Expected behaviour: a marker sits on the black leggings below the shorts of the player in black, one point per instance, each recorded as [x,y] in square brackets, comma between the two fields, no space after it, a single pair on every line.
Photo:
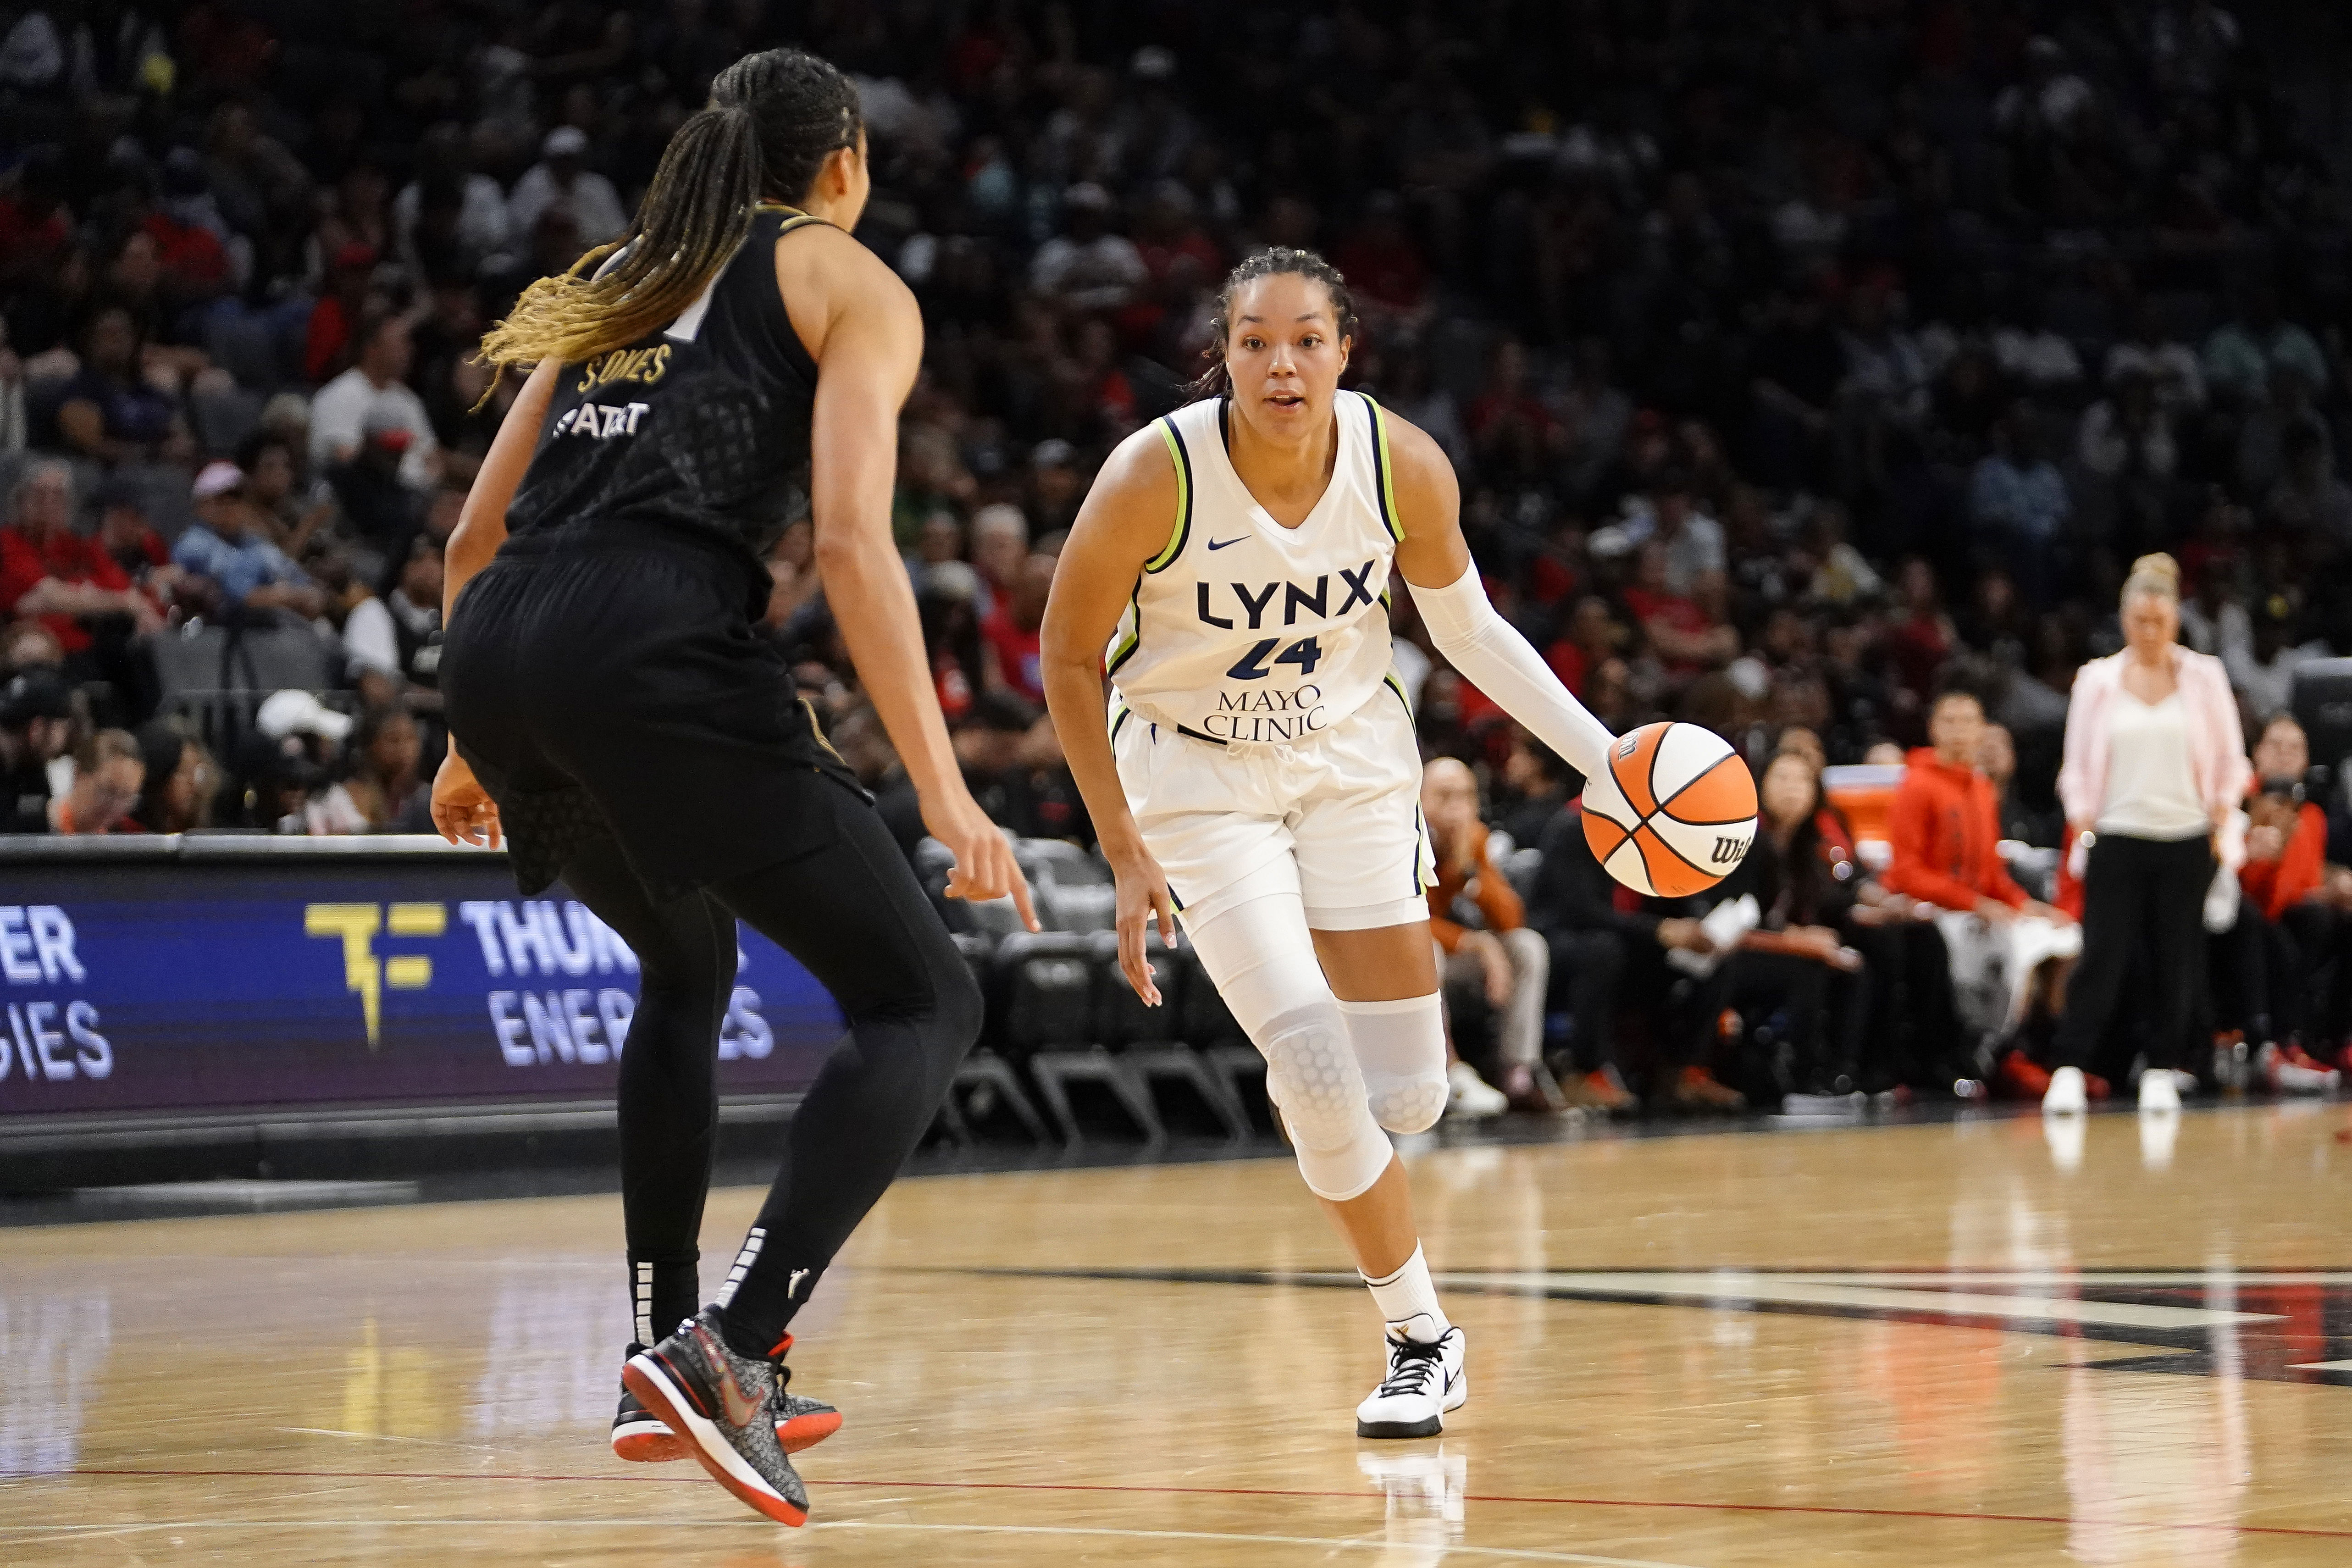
[855,916]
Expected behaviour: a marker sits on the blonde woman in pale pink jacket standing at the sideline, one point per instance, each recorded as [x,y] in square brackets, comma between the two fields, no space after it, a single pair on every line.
[2156,763]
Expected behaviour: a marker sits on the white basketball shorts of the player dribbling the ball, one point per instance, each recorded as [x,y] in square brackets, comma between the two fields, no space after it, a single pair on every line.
[1335,819]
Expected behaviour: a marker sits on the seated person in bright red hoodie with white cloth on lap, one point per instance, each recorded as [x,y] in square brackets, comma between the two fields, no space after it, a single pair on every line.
[2010,951]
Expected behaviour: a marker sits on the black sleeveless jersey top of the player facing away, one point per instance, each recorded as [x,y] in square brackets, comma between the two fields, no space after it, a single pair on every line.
[702,427]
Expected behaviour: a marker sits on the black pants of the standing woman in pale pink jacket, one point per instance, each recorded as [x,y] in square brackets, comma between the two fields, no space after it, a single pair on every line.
[2141,899]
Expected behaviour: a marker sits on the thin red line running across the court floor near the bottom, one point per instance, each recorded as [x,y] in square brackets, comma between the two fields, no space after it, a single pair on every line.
[1215,1492]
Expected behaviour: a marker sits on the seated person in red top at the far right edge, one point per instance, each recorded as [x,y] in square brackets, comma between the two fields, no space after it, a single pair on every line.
[2290,920]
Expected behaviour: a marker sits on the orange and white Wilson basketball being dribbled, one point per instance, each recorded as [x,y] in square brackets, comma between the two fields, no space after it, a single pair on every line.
[1673,815]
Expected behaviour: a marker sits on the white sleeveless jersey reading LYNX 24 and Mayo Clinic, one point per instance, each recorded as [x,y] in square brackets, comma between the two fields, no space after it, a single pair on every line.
[1245,631]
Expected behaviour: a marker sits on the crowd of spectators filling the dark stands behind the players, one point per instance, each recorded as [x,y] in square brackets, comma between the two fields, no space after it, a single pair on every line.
[1800,361]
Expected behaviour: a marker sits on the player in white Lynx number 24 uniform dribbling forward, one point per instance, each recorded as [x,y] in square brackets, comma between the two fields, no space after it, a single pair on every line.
[1255,768]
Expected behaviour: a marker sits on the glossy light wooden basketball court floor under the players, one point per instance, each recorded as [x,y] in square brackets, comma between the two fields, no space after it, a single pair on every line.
[1873,1346]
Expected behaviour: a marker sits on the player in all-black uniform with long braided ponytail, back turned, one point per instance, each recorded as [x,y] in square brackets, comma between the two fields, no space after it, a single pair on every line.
[624,728]
